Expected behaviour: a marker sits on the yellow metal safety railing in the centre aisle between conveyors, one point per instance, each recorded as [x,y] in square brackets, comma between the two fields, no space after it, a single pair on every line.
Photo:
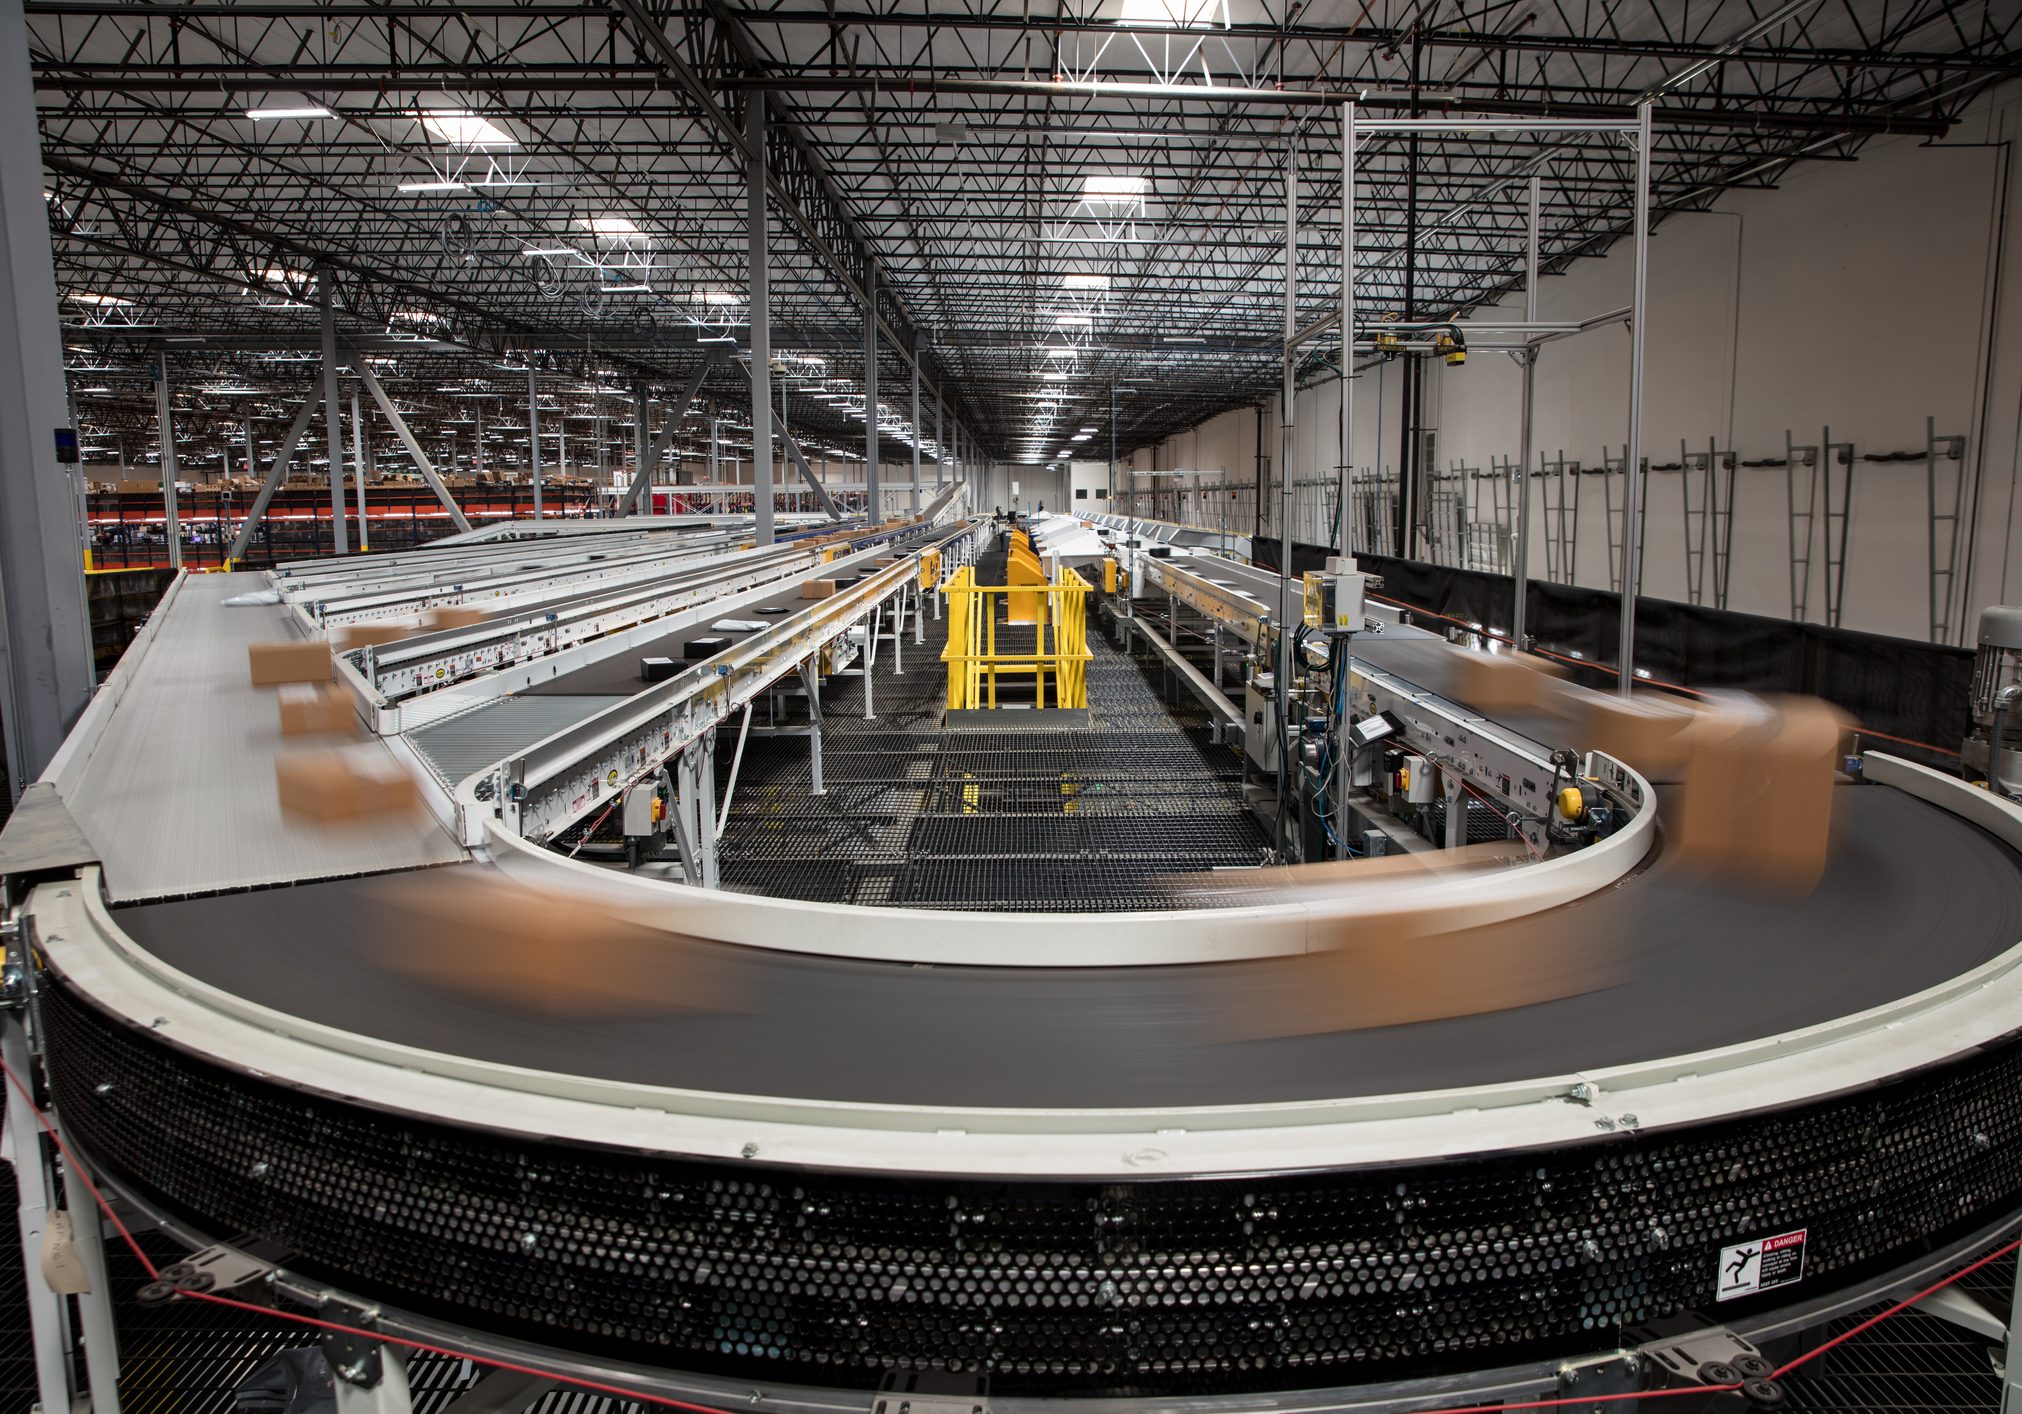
[1059,640]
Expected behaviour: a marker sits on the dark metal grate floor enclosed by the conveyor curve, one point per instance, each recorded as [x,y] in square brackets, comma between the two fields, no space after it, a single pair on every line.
[1097,820]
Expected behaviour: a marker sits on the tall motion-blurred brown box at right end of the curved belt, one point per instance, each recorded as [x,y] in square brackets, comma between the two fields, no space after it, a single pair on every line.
[1758,794]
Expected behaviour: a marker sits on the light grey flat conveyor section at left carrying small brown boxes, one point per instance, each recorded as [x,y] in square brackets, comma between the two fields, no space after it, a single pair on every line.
[179,796]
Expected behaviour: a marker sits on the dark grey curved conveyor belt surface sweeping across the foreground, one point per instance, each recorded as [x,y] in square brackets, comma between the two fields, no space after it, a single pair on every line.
[1914,899]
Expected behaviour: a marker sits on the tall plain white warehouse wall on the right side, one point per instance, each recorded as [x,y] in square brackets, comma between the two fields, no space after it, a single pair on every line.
[1859,296]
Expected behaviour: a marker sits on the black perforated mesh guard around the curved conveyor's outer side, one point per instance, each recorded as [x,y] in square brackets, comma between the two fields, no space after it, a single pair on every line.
[1156,1288]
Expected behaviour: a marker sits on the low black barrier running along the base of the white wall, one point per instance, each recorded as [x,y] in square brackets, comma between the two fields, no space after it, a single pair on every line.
[1918,693]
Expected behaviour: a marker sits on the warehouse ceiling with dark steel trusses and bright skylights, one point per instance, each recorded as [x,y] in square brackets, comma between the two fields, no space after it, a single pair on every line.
[1048,207]
